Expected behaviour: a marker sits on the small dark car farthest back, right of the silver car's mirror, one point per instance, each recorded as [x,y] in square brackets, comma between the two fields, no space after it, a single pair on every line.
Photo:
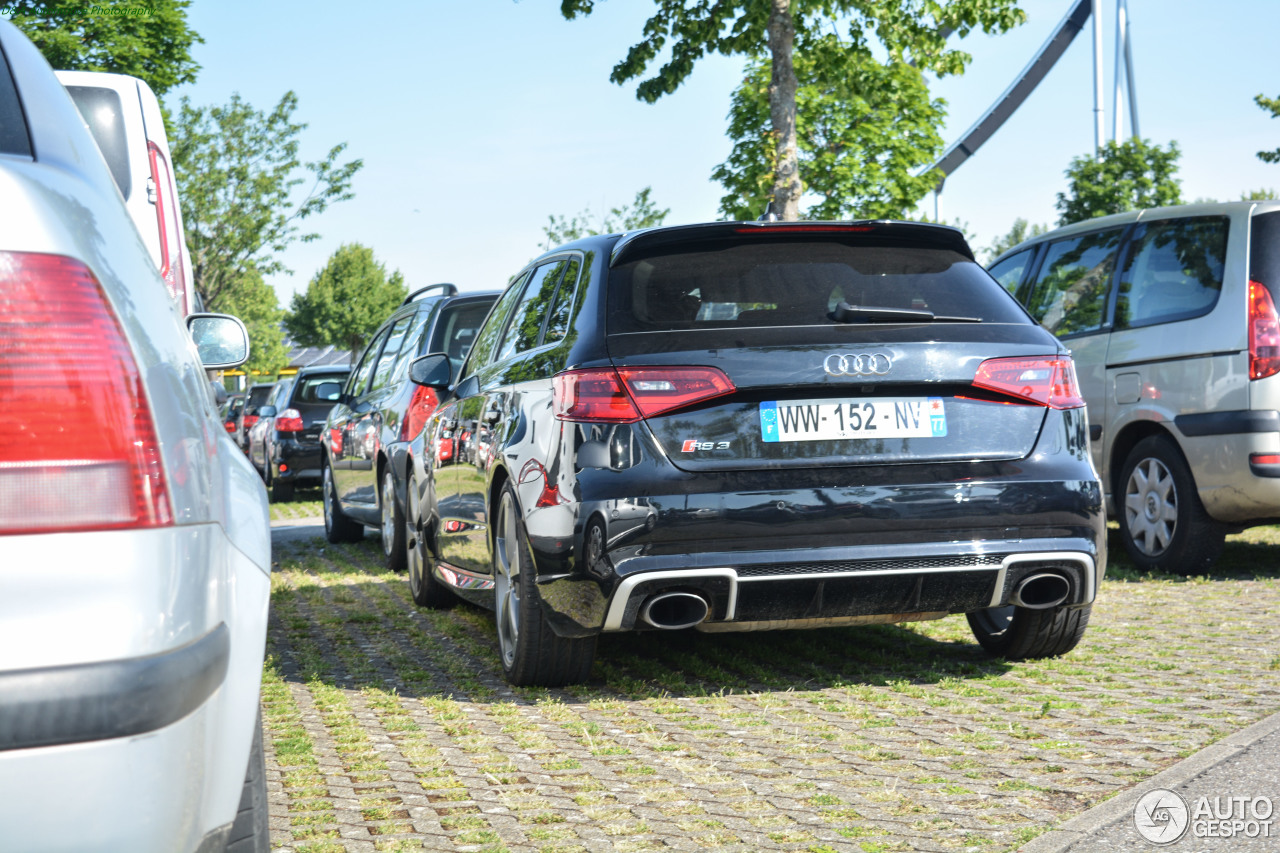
[290,426]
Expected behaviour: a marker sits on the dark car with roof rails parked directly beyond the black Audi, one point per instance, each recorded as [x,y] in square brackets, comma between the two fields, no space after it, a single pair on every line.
[381,412]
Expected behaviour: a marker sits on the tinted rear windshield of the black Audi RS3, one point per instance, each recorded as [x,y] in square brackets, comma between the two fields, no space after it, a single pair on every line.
[797,284]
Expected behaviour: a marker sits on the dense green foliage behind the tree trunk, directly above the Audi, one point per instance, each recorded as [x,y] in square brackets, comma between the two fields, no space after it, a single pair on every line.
[865,130]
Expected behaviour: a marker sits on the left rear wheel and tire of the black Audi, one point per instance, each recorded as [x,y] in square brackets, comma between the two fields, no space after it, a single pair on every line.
[532,653]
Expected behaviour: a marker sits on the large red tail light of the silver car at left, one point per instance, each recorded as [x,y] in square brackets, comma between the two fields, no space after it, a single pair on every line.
[80,449]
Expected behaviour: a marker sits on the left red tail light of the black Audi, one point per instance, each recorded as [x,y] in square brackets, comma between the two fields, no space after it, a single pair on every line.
[627,395]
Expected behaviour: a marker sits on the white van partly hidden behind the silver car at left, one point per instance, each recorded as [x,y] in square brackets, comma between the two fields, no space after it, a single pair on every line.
[124,116]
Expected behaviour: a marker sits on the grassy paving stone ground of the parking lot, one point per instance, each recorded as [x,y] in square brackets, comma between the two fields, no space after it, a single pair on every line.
[390,728]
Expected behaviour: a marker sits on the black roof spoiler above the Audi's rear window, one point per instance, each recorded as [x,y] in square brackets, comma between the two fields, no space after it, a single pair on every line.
[877,232]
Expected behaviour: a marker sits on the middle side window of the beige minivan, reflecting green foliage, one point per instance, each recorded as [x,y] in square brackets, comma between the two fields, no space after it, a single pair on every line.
[1071,291]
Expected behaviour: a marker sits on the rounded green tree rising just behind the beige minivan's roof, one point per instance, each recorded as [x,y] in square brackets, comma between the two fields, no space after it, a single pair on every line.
[1128,176]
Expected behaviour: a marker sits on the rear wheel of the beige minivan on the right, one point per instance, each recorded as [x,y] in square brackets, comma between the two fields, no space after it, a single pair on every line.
[1163,523]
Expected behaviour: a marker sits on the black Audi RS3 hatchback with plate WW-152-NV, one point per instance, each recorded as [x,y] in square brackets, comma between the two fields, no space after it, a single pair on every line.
[740,427]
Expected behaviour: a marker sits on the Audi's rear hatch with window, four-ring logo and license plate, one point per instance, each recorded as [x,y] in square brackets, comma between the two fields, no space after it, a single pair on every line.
[764,305]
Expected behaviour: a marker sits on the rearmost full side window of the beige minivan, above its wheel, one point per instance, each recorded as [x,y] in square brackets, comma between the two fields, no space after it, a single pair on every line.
[1173,271]
